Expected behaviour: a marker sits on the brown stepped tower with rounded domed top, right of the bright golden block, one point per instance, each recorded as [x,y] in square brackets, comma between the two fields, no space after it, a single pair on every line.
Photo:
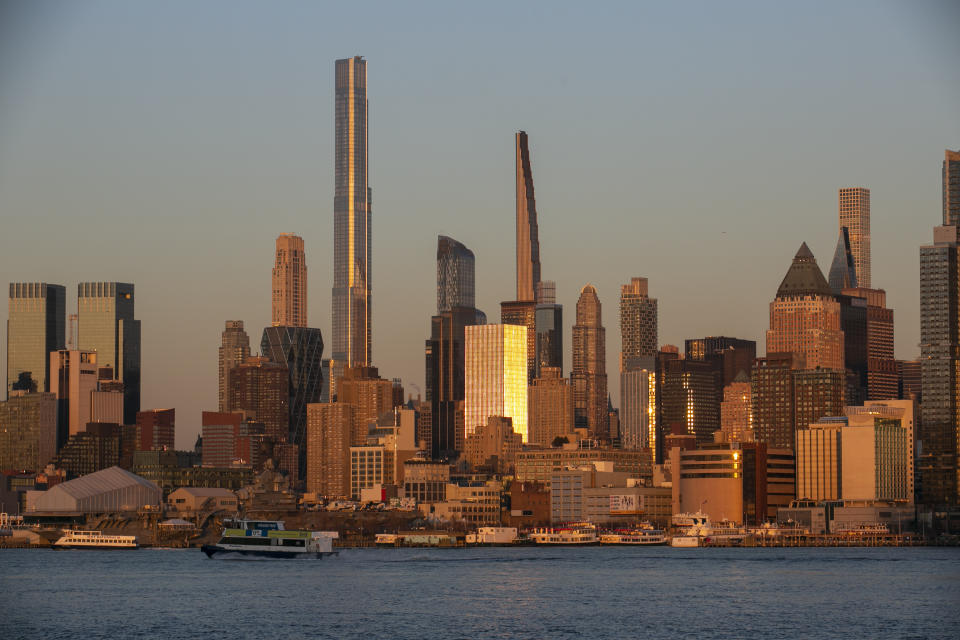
[589,373]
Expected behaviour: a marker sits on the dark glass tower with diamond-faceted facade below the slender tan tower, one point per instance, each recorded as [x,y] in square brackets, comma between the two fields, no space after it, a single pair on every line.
[300,350]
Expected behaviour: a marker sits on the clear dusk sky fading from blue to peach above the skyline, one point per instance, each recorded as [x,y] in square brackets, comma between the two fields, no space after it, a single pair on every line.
[696,144]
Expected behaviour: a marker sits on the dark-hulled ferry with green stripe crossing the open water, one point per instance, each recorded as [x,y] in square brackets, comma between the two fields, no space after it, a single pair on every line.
[269,538]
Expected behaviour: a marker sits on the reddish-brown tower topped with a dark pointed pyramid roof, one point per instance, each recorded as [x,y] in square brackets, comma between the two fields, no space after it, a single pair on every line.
[805,316]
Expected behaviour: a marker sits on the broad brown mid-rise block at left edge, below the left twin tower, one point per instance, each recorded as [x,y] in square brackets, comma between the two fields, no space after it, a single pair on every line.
[28,431]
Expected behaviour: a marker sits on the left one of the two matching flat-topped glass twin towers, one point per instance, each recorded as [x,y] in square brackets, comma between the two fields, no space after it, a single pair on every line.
[35,327]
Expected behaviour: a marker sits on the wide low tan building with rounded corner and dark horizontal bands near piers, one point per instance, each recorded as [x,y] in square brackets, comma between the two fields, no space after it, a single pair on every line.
[744,482]
